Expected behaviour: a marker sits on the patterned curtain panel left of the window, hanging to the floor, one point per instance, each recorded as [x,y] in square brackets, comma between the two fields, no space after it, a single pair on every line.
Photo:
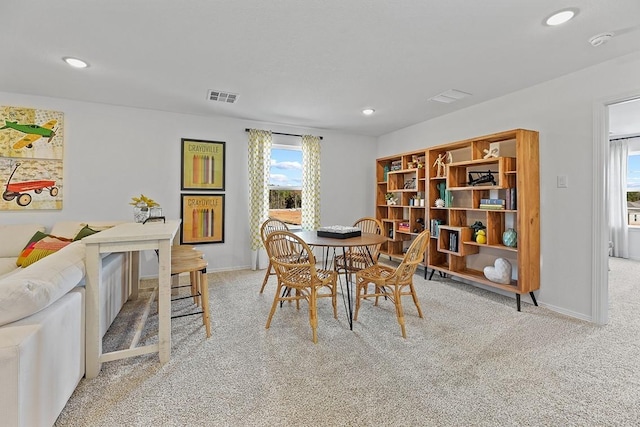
[259,165]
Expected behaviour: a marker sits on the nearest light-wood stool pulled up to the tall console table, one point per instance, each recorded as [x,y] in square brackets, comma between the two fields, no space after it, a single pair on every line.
[192,262]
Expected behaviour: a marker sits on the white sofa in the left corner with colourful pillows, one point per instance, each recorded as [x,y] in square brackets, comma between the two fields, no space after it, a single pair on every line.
[42,323]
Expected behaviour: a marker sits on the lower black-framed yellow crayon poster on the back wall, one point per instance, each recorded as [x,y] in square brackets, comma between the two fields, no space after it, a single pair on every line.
[202,218]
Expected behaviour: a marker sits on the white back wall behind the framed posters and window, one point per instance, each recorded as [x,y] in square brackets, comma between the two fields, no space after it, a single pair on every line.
[114,153]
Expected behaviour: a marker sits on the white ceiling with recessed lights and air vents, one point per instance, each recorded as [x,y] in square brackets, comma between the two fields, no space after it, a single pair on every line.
[312,63]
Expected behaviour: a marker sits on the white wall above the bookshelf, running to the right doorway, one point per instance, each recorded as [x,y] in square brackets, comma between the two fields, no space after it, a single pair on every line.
[562,111]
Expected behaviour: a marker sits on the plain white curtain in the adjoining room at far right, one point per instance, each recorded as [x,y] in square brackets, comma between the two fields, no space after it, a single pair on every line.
[617,198]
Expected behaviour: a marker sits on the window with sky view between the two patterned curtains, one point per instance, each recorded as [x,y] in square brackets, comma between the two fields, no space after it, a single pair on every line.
[285,184]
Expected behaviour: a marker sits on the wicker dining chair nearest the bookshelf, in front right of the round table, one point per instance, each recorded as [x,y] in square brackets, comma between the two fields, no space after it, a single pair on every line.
[393,283]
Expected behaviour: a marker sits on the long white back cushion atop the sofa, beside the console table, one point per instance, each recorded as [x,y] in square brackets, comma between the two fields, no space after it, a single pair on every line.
[38,286]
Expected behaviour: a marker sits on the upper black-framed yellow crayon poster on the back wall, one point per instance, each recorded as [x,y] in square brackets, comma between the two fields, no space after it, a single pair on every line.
[203,165]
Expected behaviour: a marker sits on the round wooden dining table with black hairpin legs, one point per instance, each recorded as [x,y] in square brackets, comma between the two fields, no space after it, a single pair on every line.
[312,239]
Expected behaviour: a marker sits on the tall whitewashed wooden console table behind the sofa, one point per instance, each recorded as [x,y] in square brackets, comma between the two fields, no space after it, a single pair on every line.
[131,238]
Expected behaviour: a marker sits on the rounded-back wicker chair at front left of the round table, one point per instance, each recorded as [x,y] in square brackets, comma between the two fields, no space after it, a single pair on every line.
[295,267]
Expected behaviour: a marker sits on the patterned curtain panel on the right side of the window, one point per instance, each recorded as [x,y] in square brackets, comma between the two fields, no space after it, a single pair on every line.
[310,182]
